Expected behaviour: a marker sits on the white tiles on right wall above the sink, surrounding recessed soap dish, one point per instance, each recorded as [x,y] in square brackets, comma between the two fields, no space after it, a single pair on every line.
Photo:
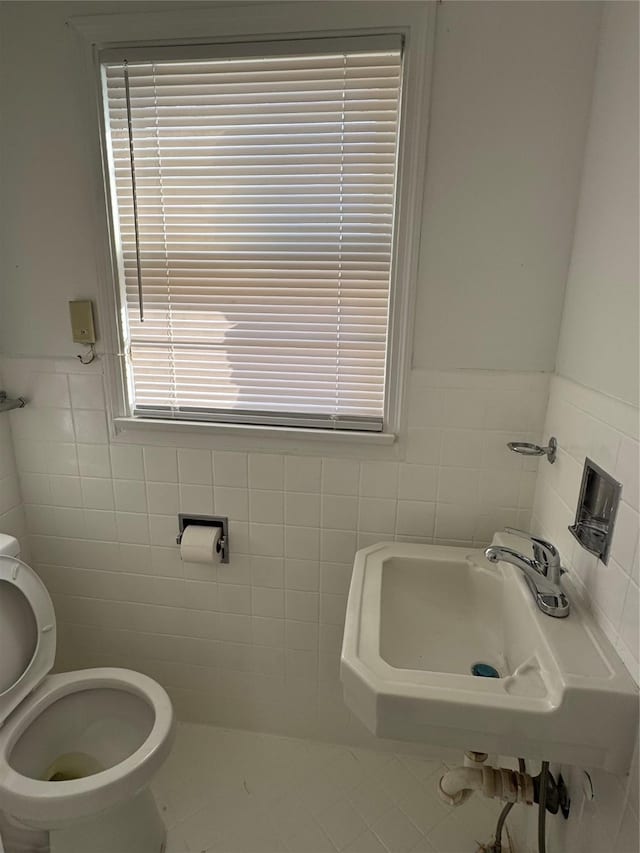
[587,423]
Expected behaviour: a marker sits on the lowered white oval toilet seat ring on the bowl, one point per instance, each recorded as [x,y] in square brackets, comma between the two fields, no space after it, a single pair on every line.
[48,804]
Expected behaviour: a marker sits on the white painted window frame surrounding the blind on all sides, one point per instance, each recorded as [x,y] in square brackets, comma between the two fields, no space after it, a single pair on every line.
[255,22]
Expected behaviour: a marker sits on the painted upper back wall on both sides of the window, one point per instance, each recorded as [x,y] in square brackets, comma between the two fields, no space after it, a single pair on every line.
[510,102]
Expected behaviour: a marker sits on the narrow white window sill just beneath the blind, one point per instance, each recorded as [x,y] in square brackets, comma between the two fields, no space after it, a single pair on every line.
[252,431]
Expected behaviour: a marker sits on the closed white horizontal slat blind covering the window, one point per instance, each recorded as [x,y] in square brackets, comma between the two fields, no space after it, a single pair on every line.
[264,210]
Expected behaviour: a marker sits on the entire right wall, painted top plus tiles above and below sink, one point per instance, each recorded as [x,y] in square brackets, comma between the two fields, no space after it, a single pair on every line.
[586,417]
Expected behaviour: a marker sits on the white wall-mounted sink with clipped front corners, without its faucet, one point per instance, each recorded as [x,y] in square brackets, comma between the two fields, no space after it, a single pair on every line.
[420,616]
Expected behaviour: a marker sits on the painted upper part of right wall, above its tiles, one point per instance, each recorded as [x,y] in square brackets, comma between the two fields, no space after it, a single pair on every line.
[599,341]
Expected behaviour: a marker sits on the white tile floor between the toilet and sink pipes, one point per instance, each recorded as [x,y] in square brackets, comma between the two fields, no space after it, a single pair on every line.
[228,791]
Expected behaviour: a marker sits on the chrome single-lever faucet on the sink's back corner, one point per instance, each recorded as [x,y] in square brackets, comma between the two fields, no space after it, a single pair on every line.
[542,572]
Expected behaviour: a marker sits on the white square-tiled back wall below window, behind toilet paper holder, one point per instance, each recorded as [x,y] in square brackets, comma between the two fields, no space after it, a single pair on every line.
[255,643]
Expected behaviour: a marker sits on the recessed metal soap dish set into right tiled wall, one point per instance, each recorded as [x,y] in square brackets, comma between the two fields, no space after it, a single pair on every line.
[596,511]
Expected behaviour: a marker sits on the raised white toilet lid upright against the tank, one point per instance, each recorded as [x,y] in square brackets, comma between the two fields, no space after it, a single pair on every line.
[27,633]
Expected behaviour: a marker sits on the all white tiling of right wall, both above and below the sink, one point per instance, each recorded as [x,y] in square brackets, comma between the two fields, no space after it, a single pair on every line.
[587,423]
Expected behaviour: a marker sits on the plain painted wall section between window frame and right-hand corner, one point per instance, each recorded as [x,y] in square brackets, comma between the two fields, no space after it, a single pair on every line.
[512,88]
